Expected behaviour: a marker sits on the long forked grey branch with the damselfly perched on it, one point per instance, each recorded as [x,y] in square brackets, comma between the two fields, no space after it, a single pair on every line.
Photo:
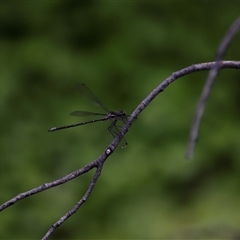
[98,163]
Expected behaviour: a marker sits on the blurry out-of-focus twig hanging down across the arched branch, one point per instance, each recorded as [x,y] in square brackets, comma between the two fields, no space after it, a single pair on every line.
[208,86]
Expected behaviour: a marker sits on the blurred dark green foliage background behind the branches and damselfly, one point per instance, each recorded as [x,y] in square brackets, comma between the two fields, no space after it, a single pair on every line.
[122,51]
